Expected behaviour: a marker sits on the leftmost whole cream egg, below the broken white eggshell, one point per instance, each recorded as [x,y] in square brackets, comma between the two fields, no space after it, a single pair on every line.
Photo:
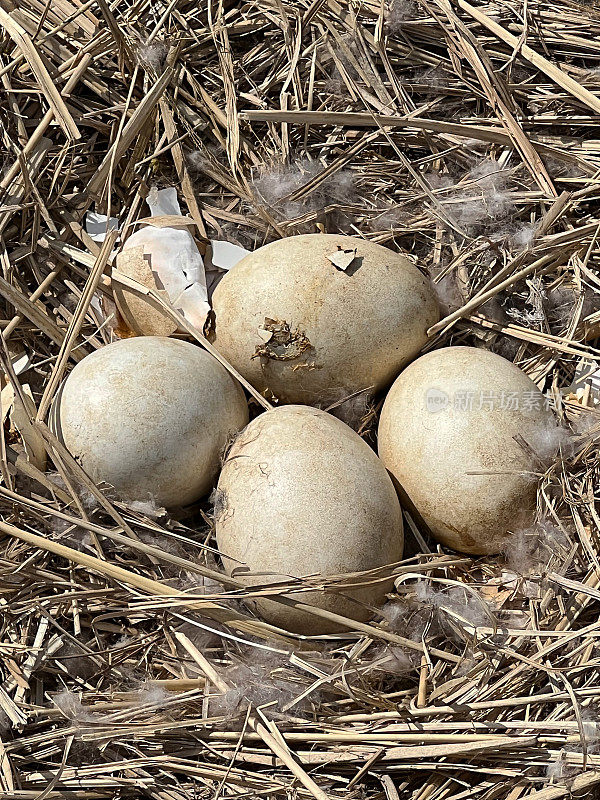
[150,416]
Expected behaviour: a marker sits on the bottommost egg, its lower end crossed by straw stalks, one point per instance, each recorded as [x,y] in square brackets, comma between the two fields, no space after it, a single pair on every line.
[301,494]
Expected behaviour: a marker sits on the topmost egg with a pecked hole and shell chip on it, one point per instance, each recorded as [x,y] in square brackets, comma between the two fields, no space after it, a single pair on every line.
[359,321]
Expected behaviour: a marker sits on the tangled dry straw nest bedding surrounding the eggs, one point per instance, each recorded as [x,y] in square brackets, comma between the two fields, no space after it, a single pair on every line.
[464,135]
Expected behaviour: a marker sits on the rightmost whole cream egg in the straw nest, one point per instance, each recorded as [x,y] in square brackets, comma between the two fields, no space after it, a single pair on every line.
[460,430]
